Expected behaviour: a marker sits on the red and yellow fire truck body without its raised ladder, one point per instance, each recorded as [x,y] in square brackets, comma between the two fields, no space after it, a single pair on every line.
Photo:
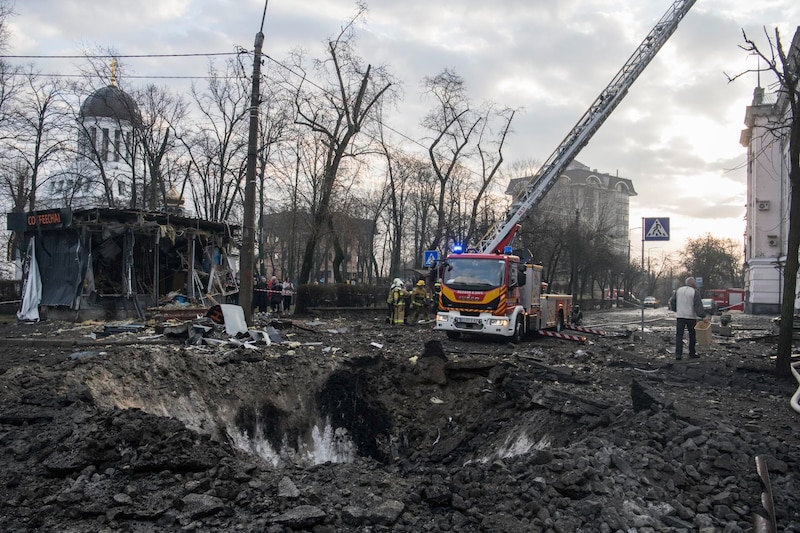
[496,294]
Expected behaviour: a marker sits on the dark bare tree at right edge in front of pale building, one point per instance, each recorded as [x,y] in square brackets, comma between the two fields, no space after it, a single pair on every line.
[786,68]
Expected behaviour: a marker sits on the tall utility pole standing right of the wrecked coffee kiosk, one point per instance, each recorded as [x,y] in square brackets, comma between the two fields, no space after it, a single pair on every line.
[247,256]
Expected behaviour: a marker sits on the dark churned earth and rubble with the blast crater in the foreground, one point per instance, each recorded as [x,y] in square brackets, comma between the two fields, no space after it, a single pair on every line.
[348,424]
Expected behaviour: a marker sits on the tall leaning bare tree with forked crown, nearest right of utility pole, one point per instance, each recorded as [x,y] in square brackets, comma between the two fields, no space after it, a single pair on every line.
[336,118]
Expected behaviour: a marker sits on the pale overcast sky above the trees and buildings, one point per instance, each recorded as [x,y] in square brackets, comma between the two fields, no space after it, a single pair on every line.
[676,135]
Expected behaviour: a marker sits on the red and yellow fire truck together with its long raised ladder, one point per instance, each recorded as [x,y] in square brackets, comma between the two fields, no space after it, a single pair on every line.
[491,291]
